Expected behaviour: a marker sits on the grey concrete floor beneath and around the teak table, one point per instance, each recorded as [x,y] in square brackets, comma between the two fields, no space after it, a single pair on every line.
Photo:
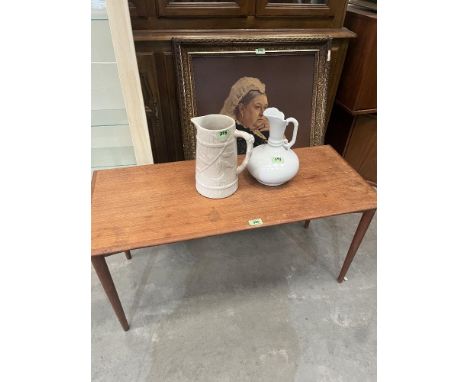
[259,305]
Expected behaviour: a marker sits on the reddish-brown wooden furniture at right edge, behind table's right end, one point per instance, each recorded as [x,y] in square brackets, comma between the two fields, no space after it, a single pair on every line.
[352,129]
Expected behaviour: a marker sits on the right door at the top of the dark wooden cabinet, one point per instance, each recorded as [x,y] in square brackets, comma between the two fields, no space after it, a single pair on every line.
[319,8]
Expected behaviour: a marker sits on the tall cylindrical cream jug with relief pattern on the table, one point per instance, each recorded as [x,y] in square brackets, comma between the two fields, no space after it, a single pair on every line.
[216,155]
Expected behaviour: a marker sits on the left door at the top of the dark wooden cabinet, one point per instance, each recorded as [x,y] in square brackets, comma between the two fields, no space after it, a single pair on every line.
[207,8]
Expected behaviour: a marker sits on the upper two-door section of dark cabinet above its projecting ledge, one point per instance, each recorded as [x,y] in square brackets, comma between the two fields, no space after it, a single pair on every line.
[236,14]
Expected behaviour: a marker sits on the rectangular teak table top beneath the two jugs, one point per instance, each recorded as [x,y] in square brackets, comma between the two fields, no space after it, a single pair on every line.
[149,205]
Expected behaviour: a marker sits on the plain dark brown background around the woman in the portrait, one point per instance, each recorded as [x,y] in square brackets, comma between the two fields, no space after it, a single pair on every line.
[289,83]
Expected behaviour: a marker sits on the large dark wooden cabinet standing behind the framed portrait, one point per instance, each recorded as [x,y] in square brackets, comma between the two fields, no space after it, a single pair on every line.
[156,23]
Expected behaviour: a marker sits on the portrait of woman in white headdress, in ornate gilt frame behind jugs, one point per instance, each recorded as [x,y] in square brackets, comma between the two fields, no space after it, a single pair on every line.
[291,72]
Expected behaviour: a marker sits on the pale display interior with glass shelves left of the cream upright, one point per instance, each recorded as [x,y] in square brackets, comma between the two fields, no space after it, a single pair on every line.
[111,143]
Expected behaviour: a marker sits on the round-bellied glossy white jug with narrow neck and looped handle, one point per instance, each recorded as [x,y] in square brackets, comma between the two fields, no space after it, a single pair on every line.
[274,163]
